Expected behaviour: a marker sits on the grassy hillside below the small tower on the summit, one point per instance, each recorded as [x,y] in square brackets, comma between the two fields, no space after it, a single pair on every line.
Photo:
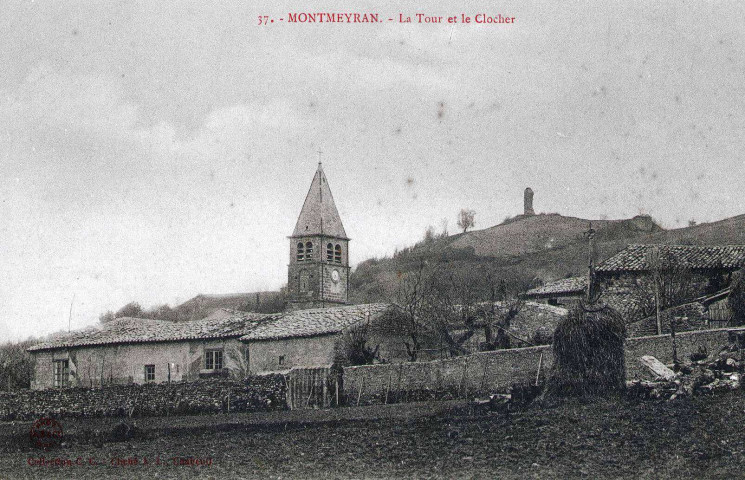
[527,250]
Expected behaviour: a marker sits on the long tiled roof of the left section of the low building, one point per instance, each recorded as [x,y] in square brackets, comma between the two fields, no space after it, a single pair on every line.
[222,324]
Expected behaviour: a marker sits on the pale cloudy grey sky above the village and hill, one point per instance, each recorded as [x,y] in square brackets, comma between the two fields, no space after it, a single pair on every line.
[154,150]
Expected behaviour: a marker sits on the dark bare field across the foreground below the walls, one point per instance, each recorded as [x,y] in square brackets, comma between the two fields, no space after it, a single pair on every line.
[603,438]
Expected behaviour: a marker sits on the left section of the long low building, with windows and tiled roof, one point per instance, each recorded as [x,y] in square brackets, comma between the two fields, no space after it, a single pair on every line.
[136,350]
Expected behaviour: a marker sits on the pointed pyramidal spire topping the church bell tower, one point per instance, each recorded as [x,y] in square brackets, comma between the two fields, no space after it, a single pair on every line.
[319,215]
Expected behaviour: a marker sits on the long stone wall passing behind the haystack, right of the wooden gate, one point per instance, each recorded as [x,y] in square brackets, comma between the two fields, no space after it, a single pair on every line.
[486,372]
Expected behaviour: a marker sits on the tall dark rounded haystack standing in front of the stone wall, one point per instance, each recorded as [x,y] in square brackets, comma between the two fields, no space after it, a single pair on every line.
[588,348]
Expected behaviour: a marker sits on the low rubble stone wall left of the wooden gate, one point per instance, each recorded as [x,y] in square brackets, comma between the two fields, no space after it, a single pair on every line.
[200,396]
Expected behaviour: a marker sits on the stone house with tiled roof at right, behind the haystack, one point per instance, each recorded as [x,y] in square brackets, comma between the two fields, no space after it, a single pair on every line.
[689,272]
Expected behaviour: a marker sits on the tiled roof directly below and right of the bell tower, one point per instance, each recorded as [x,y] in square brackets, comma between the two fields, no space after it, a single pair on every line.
[317,321]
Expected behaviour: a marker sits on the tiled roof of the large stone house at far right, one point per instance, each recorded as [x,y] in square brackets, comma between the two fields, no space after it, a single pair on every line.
[633,258]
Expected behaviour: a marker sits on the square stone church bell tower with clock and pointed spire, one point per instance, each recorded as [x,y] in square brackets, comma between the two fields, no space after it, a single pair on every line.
[318,273]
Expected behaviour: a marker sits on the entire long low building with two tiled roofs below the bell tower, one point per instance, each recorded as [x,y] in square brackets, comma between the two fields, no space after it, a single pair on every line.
[228,343]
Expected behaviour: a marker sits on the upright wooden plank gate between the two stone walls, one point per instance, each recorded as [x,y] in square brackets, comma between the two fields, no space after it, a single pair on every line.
[312,387]
